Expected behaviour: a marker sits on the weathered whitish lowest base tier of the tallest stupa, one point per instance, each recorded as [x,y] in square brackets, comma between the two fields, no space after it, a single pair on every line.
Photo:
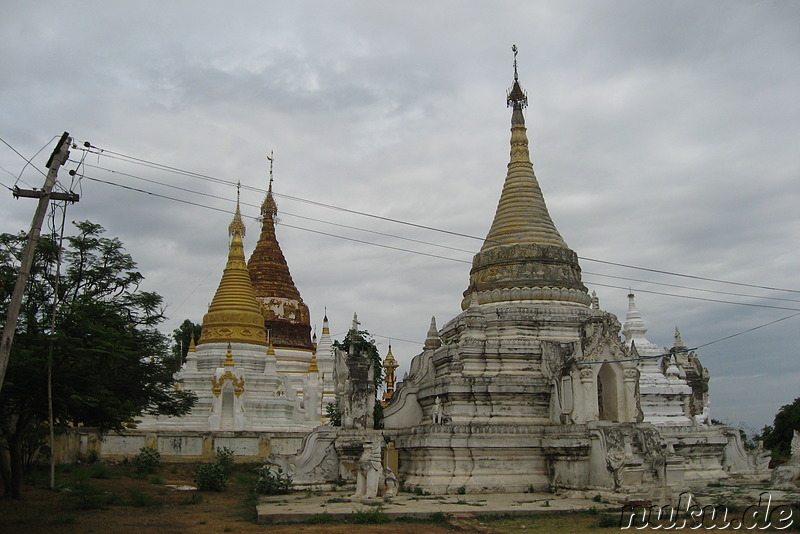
[622,458]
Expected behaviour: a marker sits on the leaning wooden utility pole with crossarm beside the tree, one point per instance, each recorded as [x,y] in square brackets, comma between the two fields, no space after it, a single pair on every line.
[57,159]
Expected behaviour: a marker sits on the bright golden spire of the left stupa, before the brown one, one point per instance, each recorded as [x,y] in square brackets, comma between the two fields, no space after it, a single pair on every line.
[234,314]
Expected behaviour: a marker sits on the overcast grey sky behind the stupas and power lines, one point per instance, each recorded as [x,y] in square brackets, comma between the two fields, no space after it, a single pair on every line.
[665,135]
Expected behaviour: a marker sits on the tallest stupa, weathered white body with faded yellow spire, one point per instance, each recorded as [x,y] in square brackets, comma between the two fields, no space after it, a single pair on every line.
[531,386]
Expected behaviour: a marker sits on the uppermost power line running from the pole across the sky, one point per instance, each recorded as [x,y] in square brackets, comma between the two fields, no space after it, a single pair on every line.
[184,172]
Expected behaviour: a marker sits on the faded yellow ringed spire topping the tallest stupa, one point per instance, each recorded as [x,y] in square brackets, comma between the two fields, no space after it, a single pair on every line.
[523,256]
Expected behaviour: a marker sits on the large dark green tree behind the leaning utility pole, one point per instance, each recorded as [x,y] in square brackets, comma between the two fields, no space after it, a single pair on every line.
[109,362]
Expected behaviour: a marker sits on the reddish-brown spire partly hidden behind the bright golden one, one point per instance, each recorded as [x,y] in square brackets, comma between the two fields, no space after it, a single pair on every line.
[286,315]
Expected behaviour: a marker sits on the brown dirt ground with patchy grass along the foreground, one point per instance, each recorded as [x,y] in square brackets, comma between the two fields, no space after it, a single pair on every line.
[100,498]
